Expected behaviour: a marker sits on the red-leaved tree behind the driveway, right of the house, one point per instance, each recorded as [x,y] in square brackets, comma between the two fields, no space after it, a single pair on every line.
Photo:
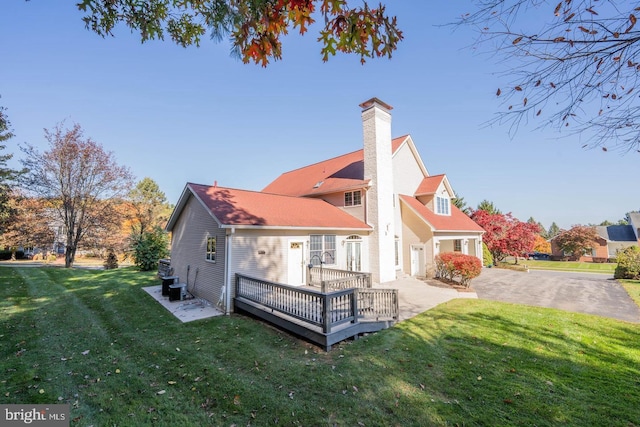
[506,235]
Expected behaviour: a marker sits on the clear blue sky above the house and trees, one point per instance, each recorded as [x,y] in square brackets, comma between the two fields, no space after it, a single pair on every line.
[199,115]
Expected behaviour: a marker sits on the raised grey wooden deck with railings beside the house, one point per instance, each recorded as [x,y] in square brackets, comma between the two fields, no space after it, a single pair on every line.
[324,318]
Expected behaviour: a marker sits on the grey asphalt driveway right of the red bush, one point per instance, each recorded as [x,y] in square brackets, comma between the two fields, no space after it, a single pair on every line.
[587,293]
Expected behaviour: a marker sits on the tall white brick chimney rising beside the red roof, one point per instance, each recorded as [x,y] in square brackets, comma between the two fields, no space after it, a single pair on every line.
[378,168]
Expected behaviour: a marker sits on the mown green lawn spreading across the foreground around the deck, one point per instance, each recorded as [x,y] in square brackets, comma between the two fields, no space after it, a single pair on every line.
[96,340]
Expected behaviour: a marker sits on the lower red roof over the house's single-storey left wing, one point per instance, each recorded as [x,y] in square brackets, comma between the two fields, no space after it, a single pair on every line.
[241,208]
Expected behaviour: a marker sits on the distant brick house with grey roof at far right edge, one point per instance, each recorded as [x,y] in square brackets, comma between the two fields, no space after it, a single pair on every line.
[611,239]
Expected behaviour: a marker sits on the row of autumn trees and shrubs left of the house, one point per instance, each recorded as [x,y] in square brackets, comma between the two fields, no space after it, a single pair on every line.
[74,197]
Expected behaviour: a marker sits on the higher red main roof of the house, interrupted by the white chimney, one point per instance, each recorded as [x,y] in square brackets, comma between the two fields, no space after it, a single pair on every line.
[340,173]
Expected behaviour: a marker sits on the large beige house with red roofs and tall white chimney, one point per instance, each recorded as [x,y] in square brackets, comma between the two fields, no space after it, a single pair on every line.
[374,210]
